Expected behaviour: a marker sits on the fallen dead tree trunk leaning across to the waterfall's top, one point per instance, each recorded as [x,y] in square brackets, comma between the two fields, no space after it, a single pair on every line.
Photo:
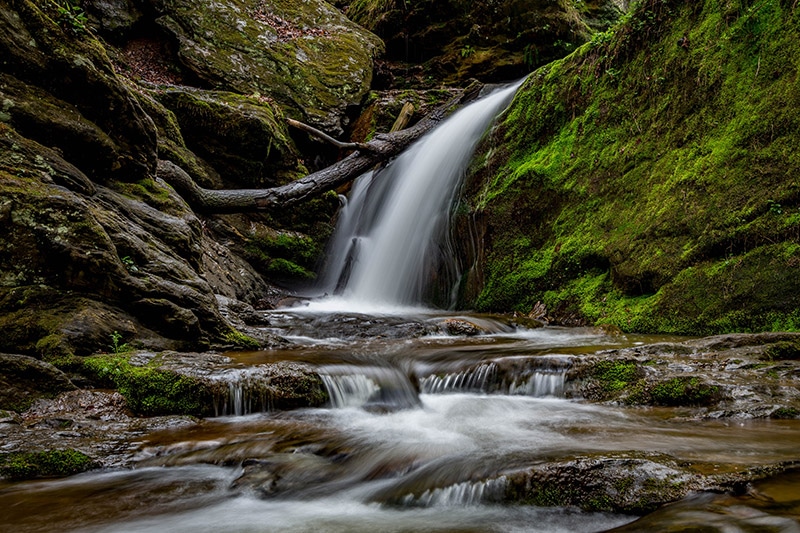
[380,149]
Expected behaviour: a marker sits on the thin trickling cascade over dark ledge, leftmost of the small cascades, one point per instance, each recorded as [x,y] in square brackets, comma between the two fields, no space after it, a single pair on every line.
[242,392]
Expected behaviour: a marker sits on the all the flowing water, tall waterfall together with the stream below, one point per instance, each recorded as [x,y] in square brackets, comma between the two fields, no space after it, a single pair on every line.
[423,427]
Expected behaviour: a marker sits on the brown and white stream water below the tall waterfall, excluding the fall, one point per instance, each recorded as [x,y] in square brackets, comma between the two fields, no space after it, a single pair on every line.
[413,442]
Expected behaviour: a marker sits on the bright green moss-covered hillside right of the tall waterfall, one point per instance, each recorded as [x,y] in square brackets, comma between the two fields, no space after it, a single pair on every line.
[651,179]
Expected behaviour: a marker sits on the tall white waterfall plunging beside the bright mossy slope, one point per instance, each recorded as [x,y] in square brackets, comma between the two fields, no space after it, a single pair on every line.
[386,244]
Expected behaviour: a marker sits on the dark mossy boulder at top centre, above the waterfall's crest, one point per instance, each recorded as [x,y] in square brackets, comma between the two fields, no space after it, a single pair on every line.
[493,41]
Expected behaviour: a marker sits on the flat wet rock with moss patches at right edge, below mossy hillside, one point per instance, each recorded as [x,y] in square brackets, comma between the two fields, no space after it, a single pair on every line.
[742,376]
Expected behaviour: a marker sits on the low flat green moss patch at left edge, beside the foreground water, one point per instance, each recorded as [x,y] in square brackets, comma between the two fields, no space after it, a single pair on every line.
[51,463]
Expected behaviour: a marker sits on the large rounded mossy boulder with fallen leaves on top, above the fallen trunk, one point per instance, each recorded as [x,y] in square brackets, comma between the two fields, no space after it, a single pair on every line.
[303,54]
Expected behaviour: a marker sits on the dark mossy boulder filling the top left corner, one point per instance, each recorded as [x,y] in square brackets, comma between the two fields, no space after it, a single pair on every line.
[71,78]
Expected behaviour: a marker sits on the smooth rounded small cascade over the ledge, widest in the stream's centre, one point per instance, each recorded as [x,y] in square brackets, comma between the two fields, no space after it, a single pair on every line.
[369,386]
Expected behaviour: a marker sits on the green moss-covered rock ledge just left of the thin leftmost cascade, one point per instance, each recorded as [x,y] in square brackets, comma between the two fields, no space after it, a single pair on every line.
[150,390]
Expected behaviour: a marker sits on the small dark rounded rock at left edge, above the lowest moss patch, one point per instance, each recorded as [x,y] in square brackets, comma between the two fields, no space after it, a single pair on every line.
[23,379]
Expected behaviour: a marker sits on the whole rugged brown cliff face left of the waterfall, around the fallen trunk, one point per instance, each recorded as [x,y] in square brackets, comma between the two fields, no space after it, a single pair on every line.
[92,242]
